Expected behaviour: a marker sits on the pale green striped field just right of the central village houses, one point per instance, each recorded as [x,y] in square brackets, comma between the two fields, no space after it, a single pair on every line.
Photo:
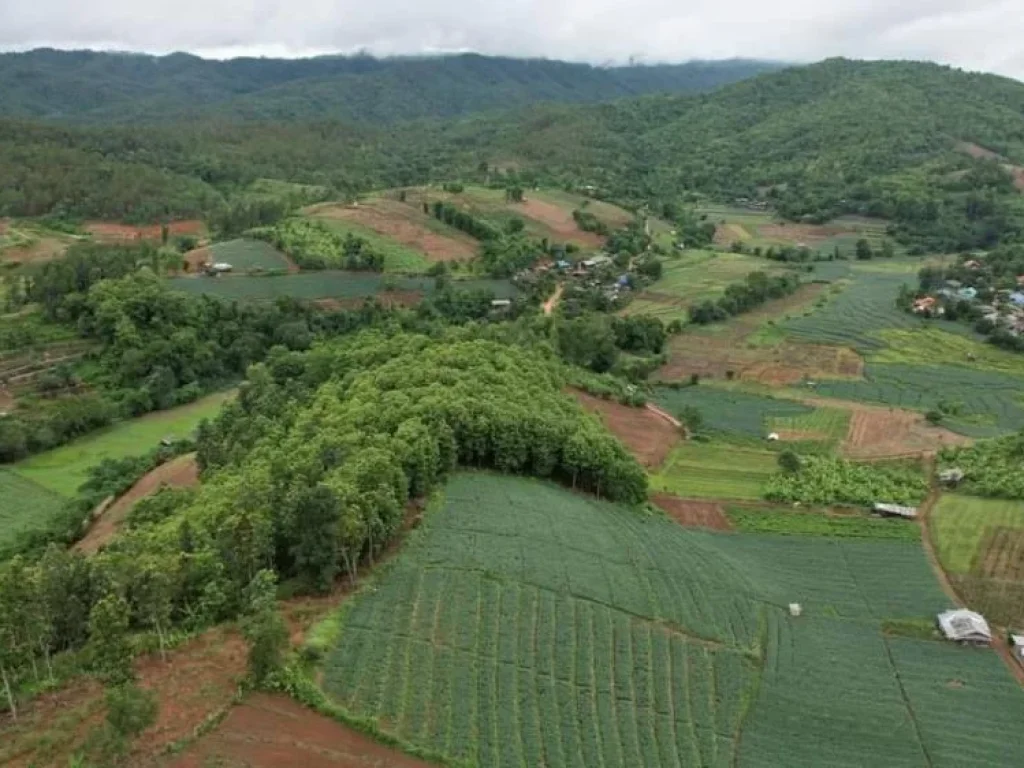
[693,277]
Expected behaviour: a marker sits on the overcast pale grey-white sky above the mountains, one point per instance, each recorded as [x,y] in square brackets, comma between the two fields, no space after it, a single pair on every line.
[985,35]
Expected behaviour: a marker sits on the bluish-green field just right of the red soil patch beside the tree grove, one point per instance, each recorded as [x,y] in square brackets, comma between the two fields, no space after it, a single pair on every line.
[733,411]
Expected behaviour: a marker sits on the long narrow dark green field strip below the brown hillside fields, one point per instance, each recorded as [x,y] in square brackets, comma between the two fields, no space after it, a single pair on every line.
[325,285]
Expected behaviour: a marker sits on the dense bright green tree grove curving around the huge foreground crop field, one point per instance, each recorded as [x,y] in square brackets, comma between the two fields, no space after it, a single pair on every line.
[310,474]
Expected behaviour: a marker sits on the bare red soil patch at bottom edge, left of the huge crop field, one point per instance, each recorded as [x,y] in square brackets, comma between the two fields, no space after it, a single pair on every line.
[271,732]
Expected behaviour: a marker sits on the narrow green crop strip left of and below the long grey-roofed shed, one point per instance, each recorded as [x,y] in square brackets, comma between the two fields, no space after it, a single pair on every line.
[800,523]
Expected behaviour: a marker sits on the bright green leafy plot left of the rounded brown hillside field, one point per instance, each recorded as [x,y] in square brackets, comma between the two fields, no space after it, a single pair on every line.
[313,245]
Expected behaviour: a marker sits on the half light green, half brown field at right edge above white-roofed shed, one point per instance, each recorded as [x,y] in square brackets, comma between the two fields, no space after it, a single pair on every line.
[980,543]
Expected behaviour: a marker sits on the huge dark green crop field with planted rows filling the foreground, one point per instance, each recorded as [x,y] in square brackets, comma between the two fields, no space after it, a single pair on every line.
[524,625]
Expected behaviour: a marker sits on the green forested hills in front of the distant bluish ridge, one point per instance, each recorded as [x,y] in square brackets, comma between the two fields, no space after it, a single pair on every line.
[932,149]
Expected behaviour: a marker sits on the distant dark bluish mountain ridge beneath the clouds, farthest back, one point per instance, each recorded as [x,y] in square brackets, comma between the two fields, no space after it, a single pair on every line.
[94,87]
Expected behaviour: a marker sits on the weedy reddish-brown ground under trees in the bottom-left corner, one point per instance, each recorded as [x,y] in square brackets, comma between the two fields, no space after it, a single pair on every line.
[198,680]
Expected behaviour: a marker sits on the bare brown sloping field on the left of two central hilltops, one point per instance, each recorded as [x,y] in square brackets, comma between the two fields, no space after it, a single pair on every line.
[400,223]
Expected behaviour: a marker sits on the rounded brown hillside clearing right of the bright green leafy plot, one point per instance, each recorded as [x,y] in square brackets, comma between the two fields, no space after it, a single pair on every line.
[403,224]
